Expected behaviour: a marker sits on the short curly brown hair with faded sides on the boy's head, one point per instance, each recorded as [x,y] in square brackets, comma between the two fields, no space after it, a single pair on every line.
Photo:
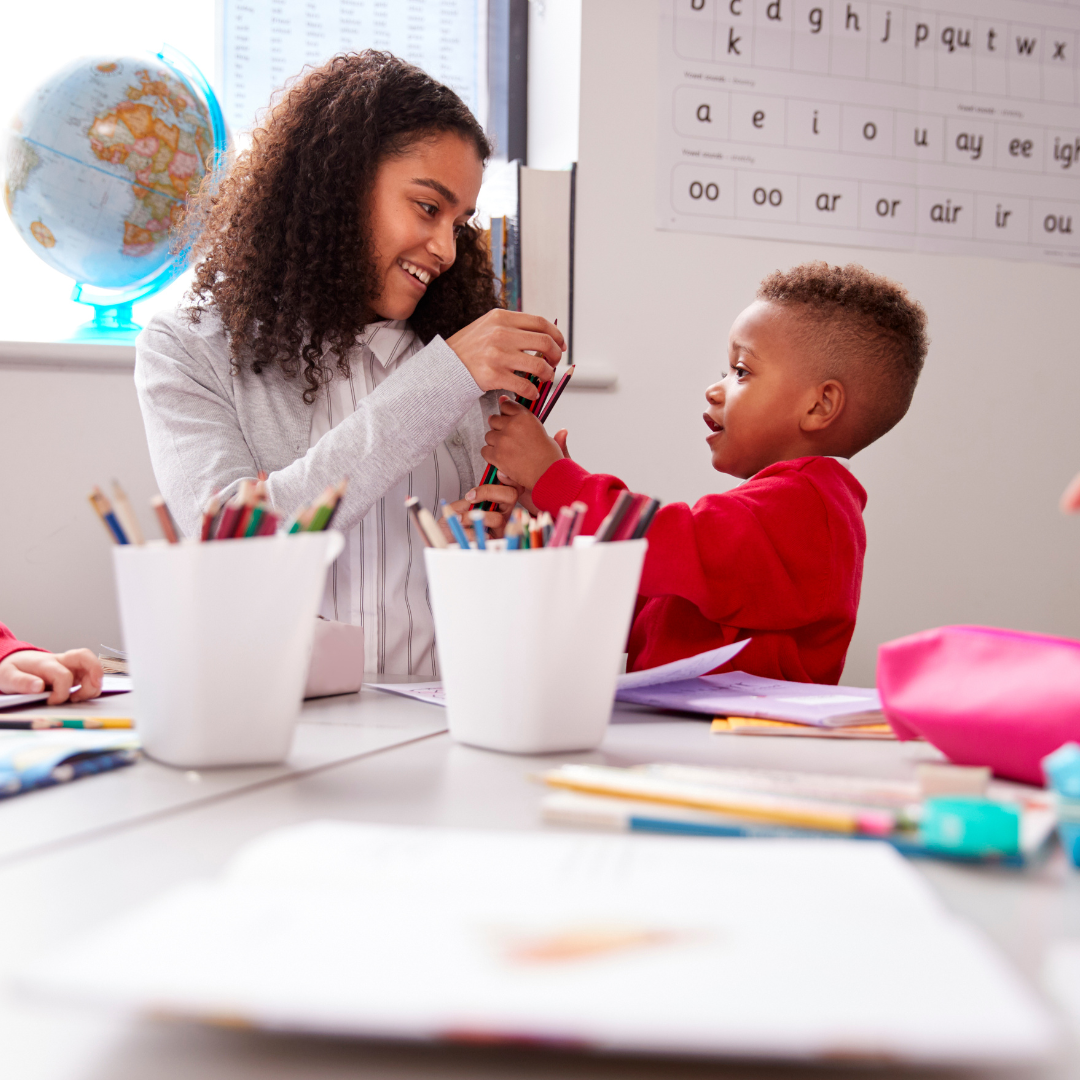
[871,334]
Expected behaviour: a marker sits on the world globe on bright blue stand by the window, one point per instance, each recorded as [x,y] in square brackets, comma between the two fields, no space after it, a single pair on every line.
[99,165]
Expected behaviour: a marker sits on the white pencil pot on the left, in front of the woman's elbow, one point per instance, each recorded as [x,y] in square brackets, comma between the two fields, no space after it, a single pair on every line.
[219,639]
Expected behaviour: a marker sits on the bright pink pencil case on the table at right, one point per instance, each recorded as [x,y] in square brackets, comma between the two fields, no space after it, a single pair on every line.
[998,698]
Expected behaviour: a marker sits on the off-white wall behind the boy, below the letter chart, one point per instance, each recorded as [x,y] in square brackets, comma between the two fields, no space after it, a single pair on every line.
[962,520]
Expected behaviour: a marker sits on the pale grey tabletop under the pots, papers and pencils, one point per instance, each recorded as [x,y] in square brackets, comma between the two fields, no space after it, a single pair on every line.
[69,887]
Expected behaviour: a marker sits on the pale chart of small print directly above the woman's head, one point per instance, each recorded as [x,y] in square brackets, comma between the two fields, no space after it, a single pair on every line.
[266,43]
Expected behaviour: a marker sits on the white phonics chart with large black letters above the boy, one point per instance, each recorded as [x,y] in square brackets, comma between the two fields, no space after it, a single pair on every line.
[950,127]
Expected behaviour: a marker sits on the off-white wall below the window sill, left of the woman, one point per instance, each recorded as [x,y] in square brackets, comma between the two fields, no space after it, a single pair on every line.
[63,430]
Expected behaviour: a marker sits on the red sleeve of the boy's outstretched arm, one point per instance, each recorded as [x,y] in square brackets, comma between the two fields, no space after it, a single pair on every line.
[757,558]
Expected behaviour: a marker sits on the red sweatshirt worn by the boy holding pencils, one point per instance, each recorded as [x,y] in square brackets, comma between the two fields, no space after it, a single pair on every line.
[778,559]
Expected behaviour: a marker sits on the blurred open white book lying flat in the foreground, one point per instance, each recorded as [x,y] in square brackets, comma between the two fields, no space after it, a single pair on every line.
[631,944]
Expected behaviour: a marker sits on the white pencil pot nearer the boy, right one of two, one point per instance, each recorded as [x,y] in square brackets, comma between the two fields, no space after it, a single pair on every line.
[531,642]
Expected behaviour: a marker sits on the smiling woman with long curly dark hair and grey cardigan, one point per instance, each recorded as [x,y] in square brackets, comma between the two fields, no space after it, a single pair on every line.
[345,325]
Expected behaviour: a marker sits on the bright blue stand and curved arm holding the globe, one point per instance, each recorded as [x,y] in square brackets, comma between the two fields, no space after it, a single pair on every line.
[114,320]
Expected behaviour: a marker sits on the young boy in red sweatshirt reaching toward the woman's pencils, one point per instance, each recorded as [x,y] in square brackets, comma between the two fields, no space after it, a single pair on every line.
[820,366]
